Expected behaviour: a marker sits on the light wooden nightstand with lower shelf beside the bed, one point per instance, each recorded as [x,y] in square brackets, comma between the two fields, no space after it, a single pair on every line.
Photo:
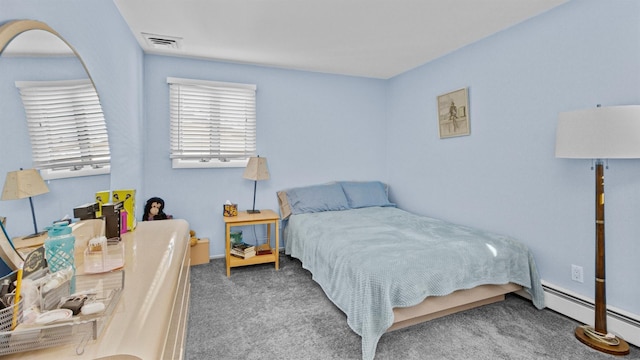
[267,217]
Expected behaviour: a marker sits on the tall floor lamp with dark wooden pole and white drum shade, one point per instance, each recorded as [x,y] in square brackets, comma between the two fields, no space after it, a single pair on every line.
[599,134]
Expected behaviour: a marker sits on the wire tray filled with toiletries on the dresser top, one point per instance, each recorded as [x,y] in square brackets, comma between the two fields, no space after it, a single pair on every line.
[48,314]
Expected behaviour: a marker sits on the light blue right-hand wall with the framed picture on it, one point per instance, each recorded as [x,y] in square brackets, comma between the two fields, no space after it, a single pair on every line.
[504,176]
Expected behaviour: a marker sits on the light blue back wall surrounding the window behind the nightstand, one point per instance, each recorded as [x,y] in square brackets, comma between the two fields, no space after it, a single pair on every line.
[311,127]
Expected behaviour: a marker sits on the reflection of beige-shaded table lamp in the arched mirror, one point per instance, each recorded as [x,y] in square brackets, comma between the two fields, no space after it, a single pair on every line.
[25,184]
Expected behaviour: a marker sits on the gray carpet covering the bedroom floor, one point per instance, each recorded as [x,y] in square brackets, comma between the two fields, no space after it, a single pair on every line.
[260,313]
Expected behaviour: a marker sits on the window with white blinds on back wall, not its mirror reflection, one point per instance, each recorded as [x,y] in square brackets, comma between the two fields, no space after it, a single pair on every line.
[213,124]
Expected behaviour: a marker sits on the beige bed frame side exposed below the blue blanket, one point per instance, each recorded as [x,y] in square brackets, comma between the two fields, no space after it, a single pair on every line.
[437,306]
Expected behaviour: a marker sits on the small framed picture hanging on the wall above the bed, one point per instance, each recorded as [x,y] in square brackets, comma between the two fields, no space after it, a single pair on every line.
[453,114]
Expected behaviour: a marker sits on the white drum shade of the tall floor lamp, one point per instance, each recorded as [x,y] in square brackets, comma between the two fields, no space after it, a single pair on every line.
[599,133]
